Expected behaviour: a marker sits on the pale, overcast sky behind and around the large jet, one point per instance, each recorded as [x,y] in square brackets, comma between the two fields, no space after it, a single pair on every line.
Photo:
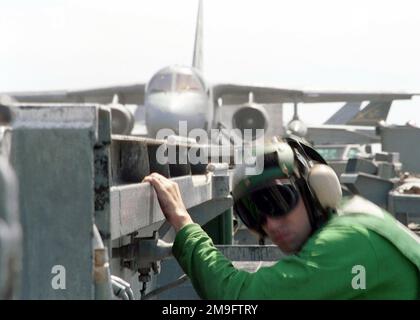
[299,44]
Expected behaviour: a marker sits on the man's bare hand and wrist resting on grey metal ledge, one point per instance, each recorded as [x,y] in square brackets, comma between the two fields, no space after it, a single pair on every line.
[170,200]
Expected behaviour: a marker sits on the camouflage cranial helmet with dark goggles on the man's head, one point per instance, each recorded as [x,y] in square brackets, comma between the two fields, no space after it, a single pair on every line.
[277,189]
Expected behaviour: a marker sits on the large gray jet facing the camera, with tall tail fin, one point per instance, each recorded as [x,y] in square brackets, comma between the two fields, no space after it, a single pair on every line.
[180,93]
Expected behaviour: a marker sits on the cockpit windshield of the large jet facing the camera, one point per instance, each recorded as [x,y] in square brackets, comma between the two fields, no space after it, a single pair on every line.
[176,81]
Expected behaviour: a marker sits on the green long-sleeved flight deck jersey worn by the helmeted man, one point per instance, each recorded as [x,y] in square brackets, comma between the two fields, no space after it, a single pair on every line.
[360,253]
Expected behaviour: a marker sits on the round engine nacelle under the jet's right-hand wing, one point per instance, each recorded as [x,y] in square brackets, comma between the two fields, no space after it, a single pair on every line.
[252,117]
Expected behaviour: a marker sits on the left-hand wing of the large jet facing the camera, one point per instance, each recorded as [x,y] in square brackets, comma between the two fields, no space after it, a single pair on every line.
[129,94]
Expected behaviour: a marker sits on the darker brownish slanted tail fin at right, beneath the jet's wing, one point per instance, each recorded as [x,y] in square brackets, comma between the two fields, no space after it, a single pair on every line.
[374,112]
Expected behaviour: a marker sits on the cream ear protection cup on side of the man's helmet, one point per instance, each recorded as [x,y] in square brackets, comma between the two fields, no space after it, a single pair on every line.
[325,185]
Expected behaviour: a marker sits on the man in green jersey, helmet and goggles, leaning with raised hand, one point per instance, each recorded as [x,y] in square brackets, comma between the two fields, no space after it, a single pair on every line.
[336,248]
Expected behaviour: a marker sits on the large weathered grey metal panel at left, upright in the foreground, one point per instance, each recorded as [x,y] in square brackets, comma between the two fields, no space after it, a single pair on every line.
[54,160]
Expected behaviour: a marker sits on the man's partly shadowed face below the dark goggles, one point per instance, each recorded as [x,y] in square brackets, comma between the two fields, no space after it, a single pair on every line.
[289,232]
